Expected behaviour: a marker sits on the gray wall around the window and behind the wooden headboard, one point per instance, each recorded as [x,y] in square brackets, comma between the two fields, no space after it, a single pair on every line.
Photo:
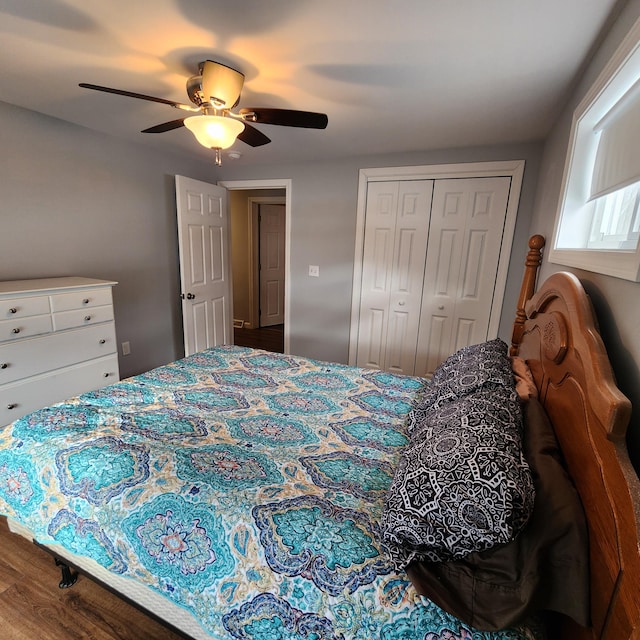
[617,302]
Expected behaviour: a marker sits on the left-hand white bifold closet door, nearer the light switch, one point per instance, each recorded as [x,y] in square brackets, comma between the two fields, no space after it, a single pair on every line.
[395,242]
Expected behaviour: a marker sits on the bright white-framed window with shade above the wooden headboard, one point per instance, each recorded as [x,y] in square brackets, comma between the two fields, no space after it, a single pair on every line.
[598,221]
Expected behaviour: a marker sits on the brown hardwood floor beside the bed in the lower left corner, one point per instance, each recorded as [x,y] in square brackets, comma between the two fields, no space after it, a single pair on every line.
[33,607]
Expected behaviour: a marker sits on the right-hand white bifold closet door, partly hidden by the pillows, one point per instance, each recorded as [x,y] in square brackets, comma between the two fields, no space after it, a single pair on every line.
[466,230]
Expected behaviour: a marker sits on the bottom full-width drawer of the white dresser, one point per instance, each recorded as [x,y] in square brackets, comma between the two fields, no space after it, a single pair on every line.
[21,398]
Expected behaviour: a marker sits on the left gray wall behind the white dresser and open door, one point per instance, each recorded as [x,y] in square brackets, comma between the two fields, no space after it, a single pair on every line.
[80,203]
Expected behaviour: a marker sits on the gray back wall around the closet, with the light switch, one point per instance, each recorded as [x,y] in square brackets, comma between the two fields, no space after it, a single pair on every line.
[323,226]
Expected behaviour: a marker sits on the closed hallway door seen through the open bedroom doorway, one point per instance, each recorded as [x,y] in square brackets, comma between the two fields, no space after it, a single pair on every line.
[272,239]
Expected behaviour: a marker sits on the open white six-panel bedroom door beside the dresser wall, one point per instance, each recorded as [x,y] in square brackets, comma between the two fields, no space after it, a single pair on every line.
[203,239]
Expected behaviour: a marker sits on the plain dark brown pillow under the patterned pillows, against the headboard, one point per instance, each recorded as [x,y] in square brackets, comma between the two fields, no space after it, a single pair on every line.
[545,568]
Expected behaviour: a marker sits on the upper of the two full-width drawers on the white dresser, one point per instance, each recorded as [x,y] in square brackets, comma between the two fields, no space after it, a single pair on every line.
[29,357]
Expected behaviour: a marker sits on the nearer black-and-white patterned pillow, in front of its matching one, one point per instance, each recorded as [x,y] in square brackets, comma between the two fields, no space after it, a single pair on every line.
[462,484]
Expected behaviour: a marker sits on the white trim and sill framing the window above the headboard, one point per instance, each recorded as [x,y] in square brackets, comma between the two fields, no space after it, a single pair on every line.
[610,86]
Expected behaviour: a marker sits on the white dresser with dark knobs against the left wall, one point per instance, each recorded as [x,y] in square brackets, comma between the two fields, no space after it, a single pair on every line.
[57,340]
